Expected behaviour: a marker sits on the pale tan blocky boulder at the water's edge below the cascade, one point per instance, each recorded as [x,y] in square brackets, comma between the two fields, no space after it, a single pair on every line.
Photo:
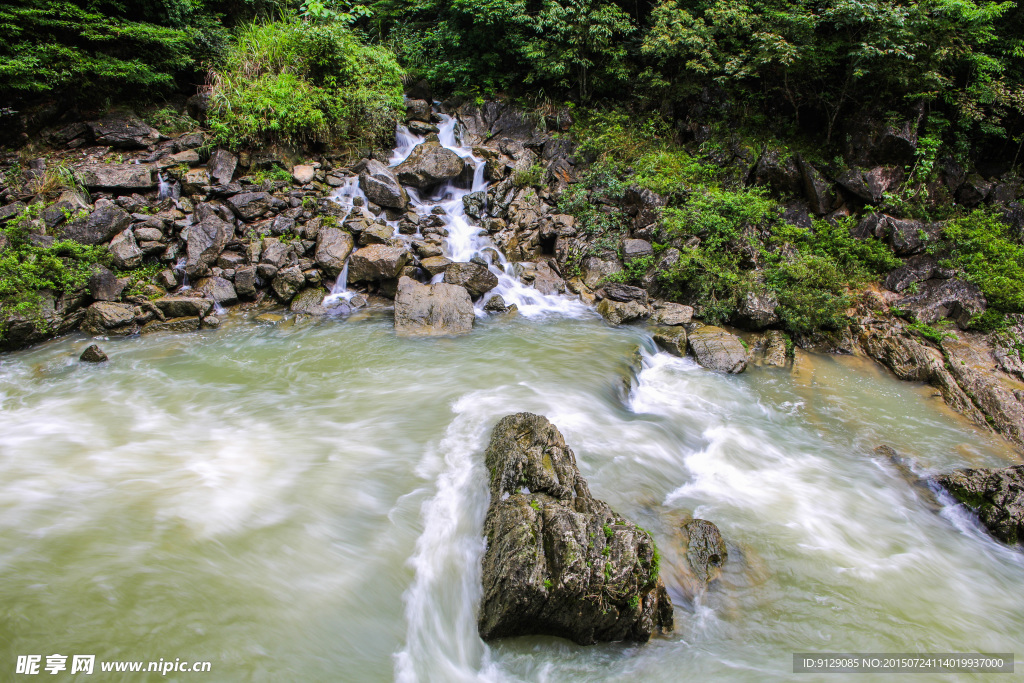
[433,310]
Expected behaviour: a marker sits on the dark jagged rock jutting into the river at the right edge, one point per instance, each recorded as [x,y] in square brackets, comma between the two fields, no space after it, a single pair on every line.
[997,496]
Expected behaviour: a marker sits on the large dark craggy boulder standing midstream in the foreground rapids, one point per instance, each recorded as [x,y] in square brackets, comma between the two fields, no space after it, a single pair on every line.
[561,563]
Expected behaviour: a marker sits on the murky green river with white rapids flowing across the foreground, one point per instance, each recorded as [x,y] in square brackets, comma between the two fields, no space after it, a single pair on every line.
[306,503]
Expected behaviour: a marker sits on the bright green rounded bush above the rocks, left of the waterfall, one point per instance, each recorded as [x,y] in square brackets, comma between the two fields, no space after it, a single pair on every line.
[297,82]
